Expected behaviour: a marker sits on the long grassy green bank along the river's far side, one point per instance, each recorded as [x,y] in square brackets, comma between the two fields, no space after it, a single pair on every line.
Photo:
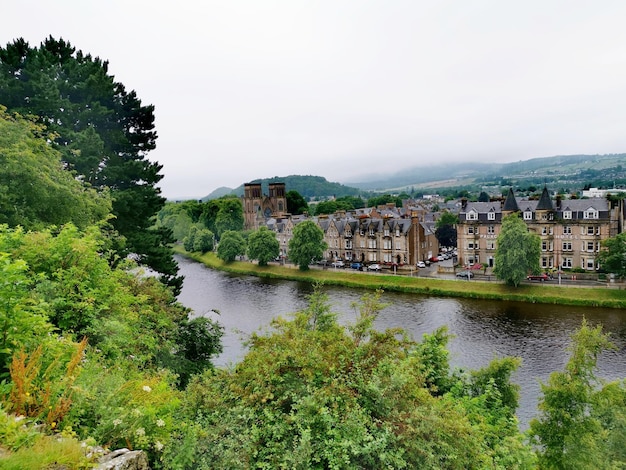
[536,293]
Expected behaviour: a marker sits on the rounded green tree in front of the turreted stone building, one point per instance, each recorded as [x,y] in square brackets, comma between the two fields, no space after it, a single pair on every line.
[518,251]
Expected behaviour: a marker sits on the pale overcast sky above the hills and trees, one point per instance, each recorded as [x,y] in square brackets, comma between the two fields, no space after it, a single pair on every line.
[351,89]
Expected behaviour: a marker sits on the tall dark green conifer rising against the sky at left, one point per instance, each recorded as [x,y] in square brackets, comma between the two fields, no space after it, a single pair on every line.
[103,133]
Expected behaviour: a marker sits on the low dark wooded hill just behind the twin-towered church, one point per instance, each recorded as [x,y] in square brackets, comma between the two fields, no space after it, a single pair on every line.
[308,186]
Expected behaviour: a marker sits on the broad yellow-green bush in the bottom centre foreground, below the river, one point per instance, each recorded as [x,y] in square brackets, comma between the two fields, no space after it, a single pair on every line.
[313,394]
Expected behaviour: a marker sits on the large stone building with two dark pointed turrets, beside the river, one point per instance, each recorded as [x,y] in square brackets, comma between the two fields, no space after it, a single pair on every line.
[571,230]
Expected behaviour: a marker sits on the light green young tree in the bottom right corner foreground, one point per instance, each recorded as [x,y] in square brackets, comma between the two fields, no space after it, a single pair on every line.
[581,425]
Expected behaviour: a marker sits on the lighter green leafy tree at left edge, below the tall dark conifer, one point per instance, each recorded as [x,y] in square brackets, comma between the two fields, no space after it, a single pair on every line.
[35,190]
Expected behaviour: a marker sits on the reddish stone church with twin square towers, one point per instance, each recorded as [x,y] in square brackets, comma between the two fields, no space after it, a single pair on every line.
[258,207]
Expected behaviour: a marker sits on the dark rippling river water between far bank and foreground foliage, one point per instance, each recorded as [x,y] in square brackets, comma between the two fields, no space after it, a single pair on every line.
[482,330]
